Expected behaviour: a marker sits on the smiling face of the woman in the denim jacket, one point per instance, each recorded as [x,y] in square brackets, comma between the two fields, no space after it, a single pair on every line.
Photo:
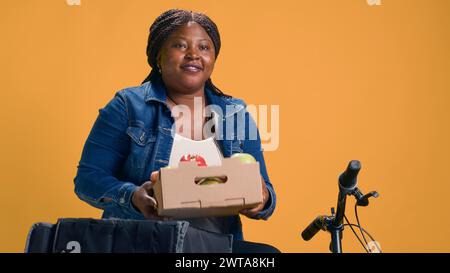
[187,59]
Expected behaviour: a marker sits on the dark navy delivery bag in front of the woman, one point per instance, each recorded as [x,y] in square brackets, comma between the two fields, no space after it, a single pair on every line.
[71,235]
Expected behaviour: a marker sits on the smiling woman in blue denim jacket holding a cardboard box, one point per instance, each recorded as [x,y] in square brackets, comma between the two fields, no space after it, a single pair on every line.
[132,137]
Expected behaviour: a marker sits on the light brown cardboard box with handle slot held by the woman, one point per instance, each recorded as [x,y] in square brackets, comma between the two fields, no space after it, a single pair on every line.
[178,195]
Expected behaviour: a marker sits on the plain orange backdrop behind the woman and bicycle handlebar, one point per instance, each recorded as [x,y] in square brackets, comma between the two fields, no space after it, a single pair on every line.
[353,81]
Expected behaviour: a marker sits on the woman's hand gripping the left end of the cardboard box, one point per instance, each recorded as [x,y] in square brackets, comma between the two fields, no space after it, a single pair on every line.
[143,198]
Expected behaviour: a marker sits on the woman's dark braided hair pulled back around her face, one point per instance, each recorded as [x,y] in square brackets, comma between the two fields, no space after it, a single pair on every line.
[167,23]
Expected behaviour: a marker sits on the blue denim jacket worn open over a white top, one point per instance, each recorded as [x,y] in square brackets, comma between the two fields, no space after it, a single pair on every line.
[132,136]
